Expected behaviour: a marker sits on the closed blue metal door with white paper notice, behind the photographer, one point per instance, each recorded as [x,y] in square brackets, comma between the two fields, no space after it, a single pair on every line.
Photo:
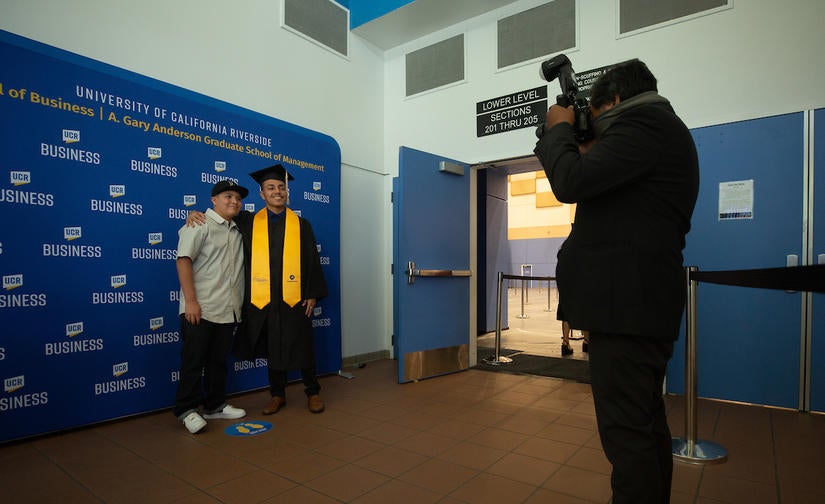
[748,339]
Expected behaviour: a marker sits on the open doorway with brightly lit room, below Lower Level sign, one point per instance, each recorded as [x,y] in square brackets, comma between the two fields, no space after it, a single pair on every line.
[515,240]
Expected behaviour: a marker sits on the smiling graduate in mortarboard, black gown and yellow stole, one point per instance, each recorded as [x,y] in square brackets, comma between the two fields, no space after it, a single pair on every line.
[284,281]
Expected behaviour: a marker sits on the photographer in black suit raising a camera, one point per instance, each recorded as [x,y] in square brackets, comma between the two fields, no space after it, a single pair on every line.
[620,272]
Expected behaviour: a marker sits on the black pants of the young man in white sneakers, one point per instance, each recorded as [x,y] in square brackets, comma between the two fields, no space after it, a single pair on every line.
[202,365]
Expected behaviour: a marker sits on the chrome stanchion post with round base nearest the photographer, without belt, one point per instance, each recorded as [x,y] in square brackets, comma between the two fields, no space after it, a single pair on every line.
[689,448]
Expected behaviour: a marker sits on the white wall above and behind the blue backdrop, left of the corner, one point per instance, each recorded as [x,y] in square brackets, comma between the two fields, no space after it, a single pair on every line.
[236,52]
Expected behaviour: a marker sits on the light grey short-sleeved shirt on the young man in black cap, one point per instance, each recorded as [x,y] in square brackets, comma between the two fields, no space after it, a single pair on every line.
[216,252]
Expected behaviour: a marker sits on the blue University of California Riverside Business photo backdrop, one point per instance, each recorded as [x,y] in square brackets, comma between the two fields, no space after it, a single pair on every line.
[99,167]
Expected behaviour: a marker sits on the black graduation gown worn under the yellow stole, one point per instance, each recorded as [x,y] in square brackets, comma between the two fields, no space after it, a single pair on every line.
[286,332]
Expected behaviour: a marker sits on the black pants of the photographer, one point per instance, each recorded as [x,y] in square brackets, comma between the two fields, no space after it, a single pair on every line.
[627,373]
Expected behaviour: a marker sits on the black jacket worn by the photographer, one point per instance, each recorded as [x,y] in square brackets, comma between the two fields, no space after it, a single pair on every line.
[620,269]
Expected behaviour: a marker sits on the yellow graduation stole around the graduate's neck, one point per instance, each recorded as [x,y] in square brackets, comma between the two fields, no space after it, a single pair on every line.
[291,281]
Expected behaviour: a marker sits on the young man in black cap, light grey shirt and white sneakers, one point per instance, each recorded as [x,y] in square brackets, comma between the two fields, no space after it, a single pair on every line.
[211,273]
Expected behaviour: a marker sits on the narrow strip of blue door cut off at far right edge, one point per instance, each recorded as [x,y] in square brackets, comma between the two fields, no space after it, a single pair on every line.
[817,318]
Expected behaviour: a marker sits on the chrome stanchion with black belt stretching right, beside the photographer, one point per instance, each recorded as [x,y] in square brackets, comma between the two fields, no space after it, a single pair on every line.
[795,278]
